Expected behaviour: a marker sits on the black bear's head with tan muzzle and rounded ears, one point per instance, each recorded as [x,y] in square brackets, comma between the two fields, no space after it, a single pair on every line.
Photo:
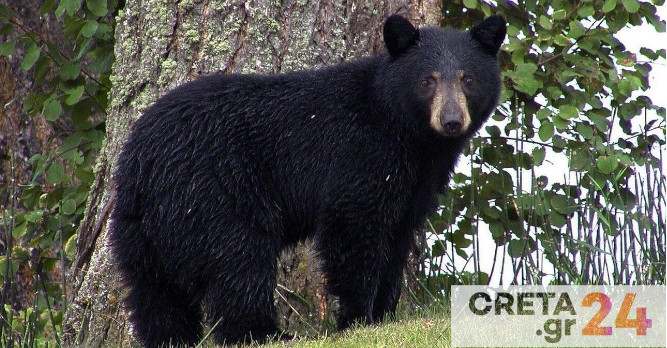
[445,79]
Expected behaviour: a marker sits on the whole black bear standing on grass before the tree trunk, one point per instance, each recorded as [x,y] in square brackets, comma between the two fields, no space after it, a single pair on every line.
[221,174]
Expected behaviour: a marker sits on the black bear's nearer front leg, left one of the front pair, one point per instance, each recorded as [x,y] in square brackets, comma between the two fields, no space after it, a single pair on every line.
[353,251]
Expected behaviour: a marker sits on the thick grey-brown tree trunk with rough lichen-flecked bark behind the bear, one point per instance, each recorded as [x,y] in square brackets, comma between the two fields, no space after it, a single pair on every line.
[161,44]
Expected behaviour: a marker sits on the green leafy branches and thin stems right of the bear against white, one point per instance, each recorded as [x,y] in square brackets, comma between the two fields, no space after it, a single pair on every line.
[568,177]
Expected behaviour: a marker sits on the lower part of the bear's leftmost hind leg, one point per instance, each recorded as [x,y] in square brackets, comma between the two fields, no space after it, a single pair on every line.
[163,315]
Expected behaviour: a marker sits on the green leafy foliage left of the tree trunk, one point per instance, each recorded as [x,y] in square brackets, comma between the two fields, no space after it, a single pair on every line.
[69,87]
